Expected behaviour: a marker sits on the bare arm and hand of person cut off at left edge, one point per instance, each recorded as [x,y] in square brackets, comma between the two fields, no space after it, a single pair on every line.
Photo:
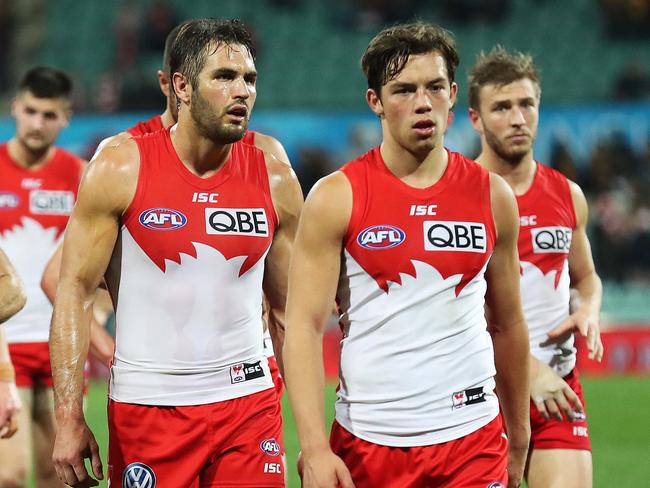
[12,300]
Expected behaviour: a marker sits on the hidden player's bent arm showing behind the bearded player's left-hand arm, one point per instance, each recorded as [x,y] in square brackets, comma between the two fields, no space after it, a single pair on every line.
[102,344]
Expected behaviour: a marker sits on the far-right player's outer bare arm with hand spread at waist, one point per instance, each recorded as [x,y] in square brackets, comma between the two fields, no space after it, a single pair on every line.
[586,318]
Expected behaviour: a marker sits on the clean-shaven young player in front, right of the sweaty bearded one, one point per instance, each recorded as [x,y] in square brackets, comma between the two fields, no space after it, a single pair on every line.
[410,237]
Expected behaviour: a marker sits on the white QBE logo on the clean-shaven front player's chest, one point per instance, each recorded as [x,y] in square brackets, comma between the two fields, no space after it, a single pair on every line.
[454,236]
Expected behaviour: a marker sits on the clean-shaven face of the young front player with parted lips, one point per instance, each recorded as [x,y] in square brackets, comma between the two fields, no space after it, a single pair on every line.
[414,106]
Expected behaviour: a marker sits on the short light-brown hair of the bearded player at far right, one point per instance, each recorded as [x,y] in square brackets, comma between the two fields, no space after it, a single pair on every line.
[500,67]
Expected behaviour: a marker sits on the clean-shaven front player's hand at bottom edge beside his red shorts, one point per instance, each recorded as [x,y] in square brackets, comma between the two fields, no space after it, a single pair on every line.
[323,469]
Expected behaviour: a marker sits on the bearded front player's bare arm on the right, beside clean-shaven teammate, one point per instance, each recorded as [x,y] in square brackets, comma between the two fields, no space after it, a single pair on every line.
[288,201]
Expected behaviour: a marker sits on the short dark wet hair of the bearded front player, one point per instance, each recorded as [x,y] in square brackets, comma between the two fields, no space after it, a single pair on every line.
[190,48]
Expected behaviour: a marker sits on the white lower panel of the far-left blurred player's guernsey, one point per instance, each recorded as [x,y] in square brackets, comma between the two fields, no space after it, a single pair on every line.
[29,247]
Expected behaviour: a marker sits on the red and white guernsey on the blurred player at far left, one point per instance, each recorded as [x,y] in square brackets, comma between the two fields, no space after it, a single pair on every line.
[34,210]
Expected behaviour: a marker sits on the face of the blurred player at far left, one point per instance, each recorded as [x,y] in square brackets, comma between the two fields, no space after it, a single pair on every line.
[39,120]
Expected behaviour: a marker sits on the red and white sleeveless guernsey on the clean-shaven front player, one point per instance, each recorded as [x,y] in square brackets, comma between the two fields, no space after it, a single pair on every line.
[417,363]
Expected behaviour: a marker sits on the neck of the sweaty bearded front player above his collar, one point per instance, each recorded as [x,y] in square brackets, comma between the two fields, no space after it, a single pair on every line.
[200,155]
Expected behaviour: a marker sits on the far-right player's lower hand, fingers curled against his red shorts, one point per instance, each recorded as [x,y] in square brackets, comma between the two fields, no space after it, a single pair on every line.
[552,395]
